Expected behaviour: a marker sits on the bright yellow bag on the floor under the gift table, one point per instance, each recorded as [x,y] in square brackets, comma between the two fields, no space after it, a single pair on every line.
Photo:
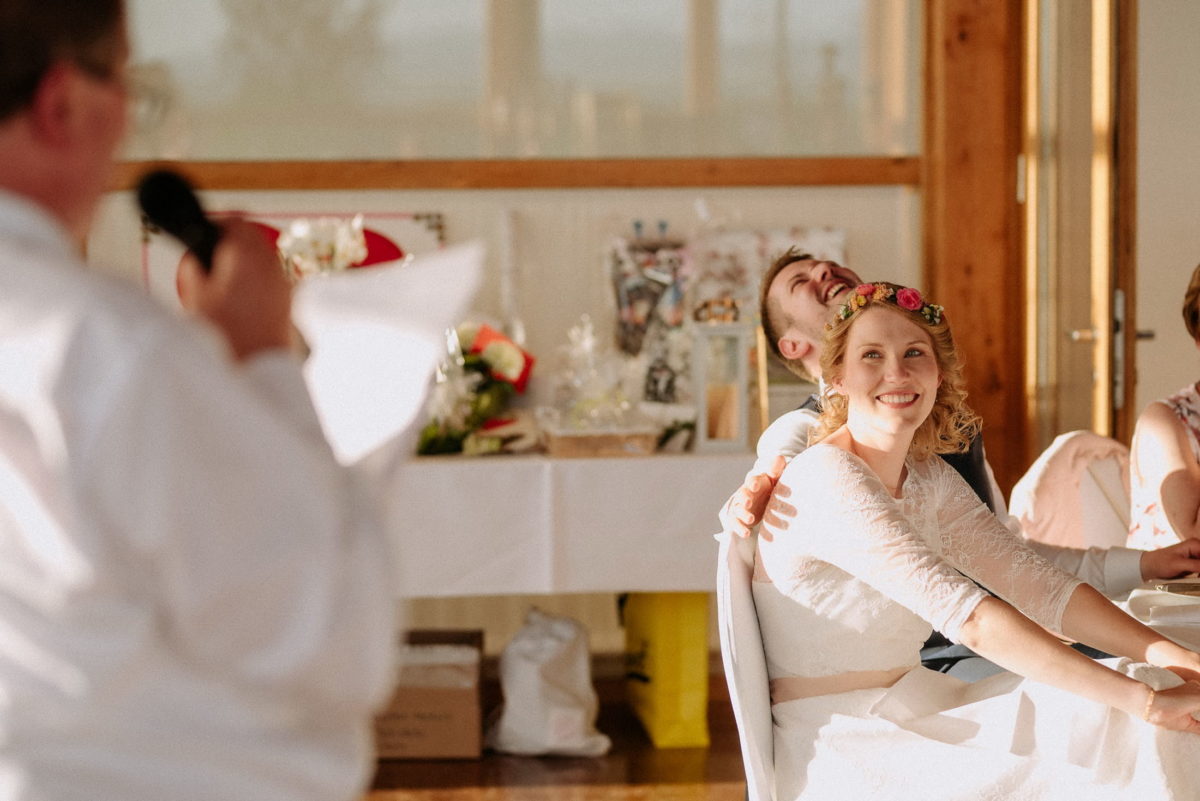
[667,666]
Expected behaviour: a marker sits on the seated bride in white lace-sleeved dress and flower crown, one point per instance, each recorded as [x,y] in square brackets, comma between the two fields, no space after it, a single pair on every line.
[874,546]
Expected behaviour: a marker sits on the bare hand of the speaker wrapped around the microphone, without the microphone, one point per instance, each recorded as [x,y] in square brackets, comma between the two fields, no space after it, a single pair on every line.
[247,296]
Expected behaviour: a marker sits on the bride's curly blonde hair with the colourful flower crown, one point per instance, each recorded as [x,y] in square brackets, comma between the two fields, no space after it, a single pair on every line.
[951,425]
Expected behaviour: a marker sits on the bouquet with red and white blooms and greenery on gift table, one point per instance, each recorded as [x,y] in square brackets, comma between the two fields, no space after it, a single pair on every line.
[483,372]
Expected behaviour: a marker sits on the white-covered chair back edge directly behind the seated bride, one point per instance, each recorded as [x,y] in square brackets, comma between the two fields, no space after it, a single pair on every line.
[746,665]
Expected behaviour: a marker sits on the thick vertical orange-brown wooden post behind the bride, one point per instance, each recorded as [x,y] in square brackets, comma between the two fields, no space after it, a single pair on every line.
[973,219]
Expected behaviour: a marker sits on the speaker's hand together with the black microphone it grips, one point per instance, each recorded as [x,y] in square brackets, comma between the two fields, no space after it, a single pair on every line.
[235,281]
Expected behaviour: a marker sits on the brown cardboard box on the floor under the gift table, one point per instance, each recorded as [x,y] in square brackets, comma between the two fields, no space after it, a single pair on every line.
[436,712]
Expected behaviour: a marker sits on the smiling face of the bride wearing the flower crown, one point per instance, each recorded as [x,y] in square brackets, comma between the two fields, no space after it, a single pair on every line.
[890,376]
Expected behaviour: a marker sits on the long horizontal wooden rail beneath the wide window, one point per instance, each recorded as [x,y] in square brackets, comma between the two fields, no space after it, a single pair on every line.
[538,174]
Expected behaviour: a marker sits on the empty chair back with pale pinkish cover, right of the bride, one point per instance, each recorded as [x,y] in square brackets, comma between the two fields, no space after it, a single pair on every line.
[1077,495]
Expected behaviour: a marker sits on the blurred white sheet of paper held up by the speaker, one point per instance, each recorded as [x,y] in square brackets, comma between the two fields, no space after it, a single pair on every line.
[376,336]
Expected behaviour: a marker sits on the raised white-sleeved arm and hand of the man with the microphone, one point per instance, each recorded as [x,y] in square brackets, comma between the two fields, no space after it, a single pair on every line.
[269,562]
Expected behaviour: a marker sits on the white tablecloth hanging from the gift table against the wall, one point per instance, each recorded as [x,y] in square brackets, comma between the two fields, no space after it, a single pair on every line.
[532,525]
